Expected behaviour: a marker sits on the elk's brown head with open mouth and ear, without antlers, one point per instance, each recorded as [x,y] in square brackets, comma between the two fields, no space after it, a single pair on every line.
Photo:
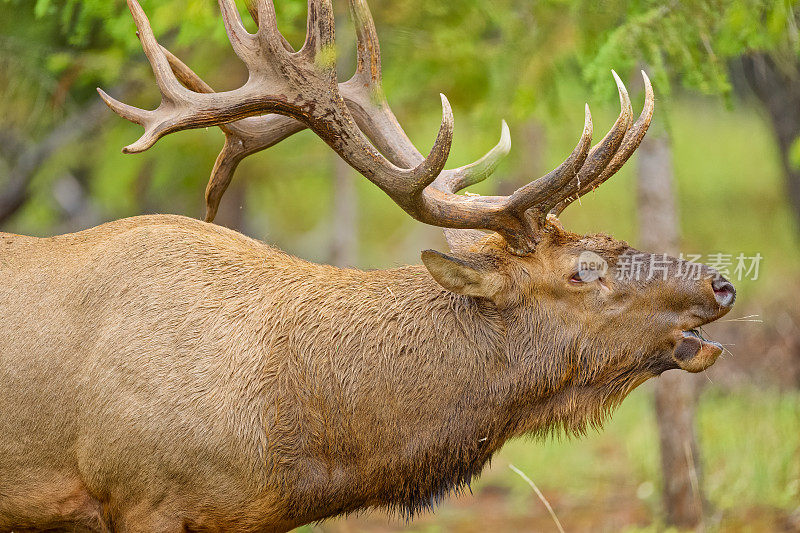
[589,318]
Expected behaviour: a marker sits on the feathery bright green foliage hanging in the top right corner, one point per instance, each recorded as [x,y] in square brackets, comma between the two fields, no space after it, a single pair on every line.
[688,42]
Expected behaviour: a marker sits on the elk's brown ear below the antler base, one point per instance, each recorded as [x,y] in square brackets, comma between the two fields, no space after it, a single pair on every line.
[470,278]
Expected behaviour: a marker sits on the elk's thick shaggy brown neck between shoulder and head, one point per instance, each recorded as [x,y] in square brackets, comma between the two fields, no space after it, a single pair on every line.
[398,394]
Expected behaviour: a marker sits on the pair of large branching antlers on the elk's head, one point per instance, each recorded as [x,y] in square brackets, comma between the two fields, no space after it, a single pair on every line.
[302,87]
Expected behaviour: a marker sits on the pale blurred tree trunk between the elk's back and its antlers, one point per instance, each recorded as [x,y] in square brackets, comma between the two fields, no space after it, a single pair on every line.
[344,226]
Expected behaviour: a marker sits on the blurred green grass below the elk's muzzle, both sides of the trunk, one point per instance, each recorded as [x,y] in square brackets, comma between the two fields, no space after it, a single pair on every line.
[750,442]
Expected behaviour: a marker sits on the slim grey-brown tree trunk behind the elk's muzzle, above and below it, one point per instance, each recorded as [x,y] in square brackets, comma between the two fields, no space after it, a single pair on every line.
[674,390]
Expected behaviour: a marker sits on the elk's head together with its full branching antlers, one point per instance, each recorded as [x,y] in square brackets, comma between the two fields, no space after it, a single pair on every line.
[570,303]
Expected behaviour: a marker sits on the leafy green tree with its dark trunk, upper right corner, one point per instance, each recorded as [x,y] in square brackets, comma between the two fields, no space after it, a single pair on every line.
[708,46]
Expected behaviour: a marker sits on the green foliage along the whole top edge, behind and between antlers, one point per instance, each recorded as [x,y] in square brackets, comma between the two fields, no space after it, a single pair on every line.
[502,58]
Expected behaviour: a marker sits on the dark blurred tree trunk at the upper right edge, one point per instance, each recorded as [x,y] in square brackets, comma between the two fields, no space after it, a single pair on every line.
[777,86]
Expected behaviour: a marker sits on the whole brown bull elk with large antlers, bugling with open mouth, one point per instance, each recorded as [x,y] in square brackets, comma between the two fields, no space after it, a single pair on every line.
[162,374]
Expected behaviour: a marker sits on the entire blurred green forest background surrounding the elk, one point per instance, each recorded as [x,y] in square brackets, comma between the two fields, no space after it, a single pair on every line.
[726,129]
